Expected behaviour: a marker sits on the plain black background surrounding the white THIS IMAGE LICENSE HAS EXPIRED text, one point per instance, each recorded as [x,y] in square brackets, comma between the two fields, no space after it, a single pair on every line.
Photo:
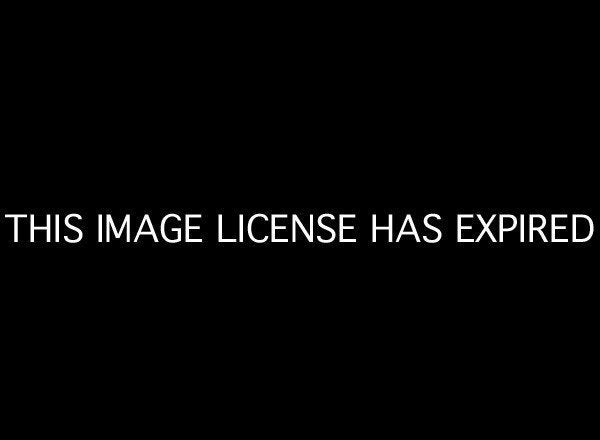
[368,113]
